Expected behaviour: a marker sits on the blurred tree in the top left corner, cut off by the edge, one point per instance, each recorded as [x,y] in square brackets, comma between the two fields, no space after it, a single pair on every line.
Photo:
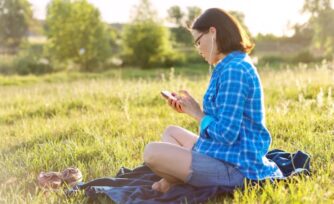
[15,16]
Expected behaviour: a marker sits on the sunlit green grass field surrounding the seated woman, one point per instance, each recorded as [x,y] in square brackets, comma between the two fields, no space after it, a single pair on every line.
[100,122]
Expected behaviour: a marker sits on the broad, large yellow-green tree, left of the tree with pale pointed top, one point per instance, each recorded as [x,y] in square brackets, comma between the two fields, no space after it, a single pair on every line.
[75,33]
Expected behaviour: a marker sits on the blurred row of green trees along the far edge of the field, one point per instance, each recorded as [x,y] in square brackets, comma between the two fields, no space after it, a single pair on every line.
[77,37]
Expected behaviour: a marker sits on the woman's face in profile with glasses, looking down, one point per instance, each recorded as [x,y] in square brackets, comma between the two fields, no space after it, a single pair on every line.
[205,42]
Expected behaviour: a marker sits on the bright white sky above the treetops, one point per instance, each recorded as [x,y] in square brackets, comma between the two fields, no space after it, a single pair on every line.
[261,16]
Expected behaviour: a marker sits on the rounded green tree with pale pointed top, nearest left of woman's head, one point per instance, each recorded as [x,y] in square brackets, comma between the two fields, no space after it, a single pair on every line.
[145,40]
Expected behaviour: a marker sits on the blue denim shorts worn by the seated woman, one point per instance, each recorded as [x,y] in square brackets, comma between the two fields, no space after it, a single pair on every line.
[208,171]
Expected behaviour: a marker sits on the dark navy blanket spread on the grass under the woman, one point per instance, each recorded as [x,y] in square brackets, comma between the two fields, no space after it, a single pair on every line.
[134,185]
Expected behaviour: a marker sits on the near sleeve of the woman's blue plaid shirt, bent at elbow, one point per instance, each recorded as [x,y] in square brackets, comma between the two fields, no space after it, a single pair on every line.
[233,86]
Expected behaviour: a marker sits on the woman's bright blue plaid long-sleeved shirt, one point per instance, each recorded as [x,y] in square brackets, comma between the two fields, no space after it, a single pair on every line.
[235,129]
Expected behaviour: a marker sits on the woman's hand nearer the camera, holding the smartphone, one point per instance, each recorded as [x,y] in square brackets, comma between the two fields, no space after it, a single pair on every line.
[189,105]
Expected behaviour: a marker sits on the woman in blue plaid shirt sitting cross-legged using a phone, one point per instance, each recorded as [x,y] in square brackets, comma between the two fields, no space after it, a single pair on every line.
[233,139]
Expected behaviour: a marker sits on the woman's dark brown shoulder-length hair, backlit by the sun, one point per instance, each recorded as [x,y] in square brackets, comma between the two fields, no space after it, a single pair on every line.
[230,35]
